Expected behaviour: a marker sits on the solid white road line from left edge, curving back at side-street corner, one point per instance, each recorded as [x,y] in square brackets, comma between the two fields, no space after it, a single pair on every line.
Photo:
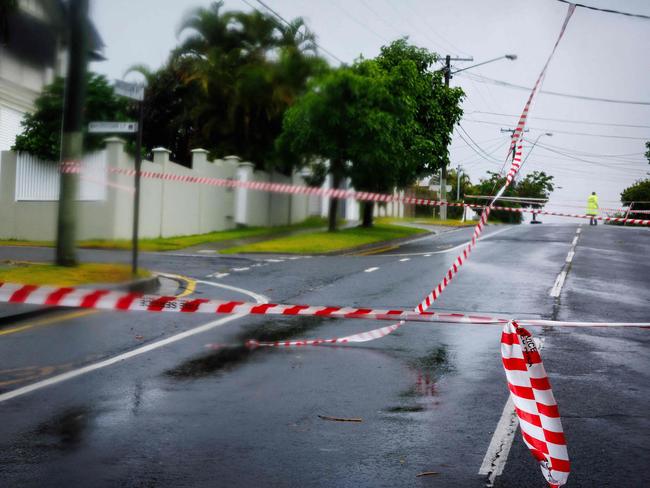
[135,352]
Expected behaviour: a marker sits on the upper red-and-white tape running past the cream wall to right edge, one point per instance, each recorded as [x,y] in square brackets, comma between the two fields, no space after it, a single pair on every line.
[339,194]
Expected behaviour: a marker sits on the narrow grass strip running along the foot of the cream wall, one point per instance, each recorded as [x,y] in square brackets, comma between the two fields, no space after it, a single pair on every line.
[180,242]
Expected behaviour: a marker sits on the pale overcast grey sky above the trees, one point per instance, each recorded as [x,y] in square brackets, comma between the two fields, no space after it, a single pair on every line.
[602,55]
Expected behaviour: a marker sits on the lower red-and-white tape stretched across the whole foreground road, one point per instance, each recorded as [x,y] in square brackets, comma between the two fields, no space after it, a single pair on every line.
[117,300]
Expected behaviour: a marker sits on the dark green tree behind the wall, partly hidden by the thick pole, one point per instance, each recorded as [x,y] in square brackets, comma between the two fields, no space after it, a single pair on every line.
[41,135]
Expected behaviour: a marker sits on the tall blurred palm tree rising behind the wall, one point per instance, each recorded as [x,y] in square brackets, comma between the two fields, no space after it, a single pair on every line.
[250,68]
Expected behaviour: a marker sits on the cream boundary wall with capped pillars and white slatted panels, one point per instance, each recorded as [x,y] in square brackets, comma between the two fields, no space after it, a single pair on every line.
[29,188]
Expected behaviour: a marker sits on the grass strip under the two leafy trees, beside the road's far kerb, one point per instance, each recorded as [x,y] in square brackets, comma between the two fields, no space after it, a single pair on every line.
[322,242]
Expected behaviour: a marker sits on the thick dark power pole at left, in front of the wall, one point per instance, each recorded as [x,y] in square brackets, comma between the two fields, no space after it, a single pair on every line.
[72,138]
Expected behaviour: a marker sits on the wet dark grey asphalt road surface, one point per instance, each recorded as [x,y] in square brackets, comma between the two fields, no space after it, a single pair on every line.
[430,396]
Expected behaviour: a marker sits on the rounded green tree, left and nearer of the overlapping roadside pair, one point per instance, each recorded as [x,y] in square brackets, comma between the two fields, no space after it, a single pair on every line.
[351,118]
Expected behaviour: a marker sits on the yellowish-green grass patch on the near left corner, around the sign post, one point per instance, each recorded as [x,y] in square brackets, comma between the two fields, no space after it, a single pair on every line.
[48,274]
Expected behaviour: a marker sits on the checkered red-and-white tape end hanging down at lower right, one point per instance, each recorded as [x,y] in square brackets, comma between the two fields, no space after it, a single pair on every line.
[535,405]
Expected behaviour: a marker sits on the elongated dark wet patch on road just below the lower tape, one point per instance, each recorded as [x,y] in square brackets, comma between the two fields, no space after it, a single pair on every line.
[227,358]
